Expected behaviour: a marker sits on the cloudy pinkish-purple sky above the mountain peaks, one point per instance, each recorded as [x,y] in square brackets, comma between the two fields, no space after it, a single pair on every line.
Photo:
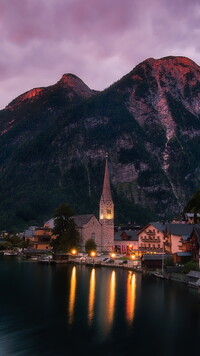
[97,40]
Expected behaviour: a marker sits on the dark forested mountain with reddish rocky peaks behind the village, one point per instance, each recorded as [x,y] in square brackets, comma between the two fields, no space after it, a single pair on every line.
[53,143]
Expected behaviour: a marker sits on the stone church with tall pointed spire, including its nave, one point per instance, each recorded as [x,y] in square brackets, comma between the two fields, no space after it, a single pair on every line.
[102,230]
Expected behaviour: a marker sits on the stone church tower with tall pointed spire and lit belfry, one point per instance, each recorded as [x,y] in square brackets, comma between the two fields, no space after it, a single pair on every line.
[106,213]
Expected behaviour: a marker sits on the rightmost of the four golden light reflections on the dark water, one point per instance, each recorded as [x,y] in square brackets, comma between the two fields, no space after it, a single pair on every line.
[131,296]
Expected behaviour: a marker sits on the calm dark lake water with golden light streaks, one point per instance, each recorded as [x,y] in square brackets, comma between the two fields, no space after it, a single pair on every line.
[67,310]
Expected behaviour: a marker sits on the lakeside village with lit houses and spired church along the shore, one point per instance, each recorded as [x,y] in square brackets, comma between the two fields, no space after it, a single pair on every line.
[167,250]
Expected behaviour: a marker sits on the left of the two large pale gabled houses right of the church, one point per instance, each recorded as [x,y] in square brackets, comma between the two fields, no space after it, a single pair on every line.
[151,238]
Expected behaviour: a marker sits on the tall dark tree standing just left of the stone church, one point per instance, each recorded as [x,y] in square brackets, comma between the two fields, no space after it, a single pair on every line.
[67,235]
